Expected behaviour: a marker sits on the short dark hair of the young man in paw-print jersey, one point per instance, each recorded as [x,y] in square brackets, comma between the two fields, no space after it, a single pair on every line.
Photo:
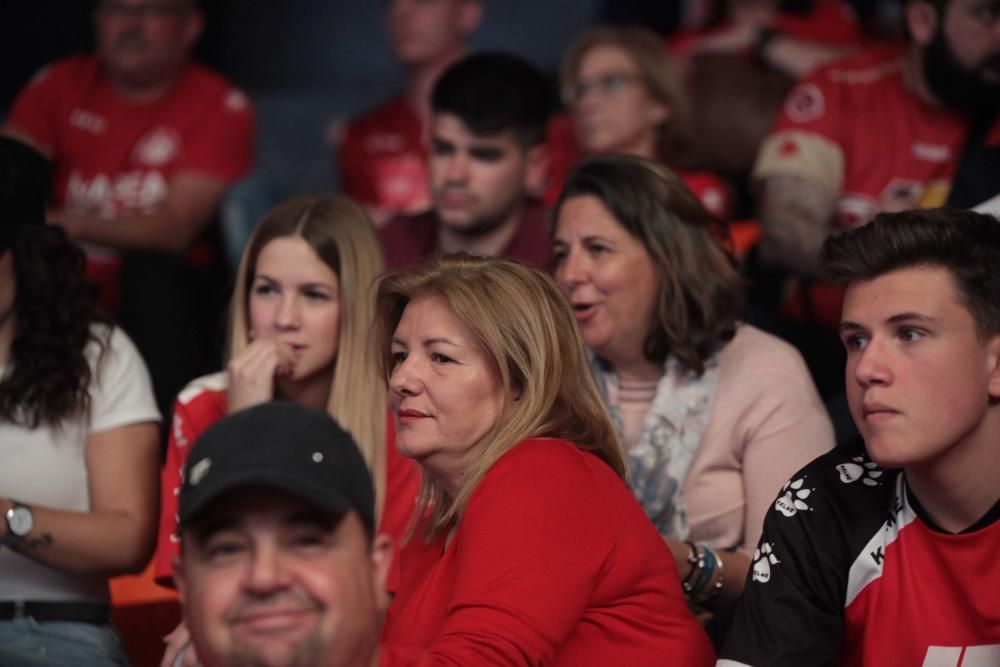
[965,243]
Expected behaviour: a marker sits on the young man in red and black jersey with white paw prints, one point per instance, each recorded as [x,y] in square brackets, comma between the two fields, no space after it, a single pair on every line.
[887,554]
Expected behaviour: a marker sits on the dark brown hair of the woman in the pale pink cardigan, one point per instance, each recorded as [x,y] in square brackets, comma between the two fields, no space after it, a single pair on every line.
[701,295]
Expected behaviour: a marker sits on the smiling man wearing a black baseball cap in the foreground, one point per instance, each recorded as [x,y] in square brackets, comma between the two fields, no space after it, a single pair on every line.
[279,560]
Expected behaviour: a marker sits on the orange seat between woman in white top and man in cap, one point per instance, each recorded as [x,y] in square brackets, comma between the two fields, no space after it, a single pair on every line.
[143,612]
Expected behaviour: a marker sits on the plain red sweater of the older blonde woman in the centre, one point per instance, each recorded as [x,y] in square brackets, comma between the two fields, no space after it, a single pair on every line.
[553,563]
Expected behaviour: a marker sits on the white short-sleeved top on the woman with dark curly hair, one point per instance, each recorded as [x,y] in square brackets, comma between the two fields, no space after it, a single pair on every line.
[46,466]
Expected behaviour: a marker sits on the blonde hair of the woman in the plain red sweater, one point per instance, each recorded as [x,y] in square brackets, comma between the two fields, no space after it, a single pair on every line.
[523,323]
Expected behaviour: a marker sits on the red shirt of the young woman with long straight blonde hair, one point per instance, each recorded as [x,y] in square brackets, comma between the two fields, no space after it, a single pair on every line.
[204,402]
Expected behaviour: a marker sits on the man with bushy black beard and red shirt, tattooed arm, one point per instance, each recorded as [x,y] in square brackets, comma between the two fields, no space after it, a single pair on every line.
[880,131]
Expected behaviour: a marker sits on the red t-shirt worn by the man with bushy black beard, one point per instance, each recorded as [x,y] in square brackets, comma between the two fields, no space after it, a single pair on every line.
[857,128]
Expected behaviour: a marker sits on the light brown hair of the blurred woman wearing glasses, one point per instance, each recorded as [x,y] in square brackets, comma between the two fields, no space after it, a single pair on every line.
[658,71]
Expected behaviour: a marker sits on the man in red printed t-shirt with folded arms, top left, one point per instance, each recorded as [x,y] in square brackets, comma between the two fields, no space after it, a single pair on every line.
[144,143]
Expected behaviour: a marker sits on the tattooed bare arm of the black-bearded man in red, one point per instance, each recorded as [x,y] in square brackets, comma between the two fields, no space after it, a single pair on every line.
[796,215]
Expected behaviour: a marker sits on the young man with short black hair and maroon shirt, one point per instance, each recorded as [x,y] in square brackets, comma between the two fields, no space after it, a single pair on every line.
[487,165]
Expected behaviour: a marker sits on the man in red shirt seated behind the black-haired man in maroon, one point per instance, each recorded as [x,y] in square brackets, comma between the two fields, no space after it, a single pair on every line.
[382,155]
